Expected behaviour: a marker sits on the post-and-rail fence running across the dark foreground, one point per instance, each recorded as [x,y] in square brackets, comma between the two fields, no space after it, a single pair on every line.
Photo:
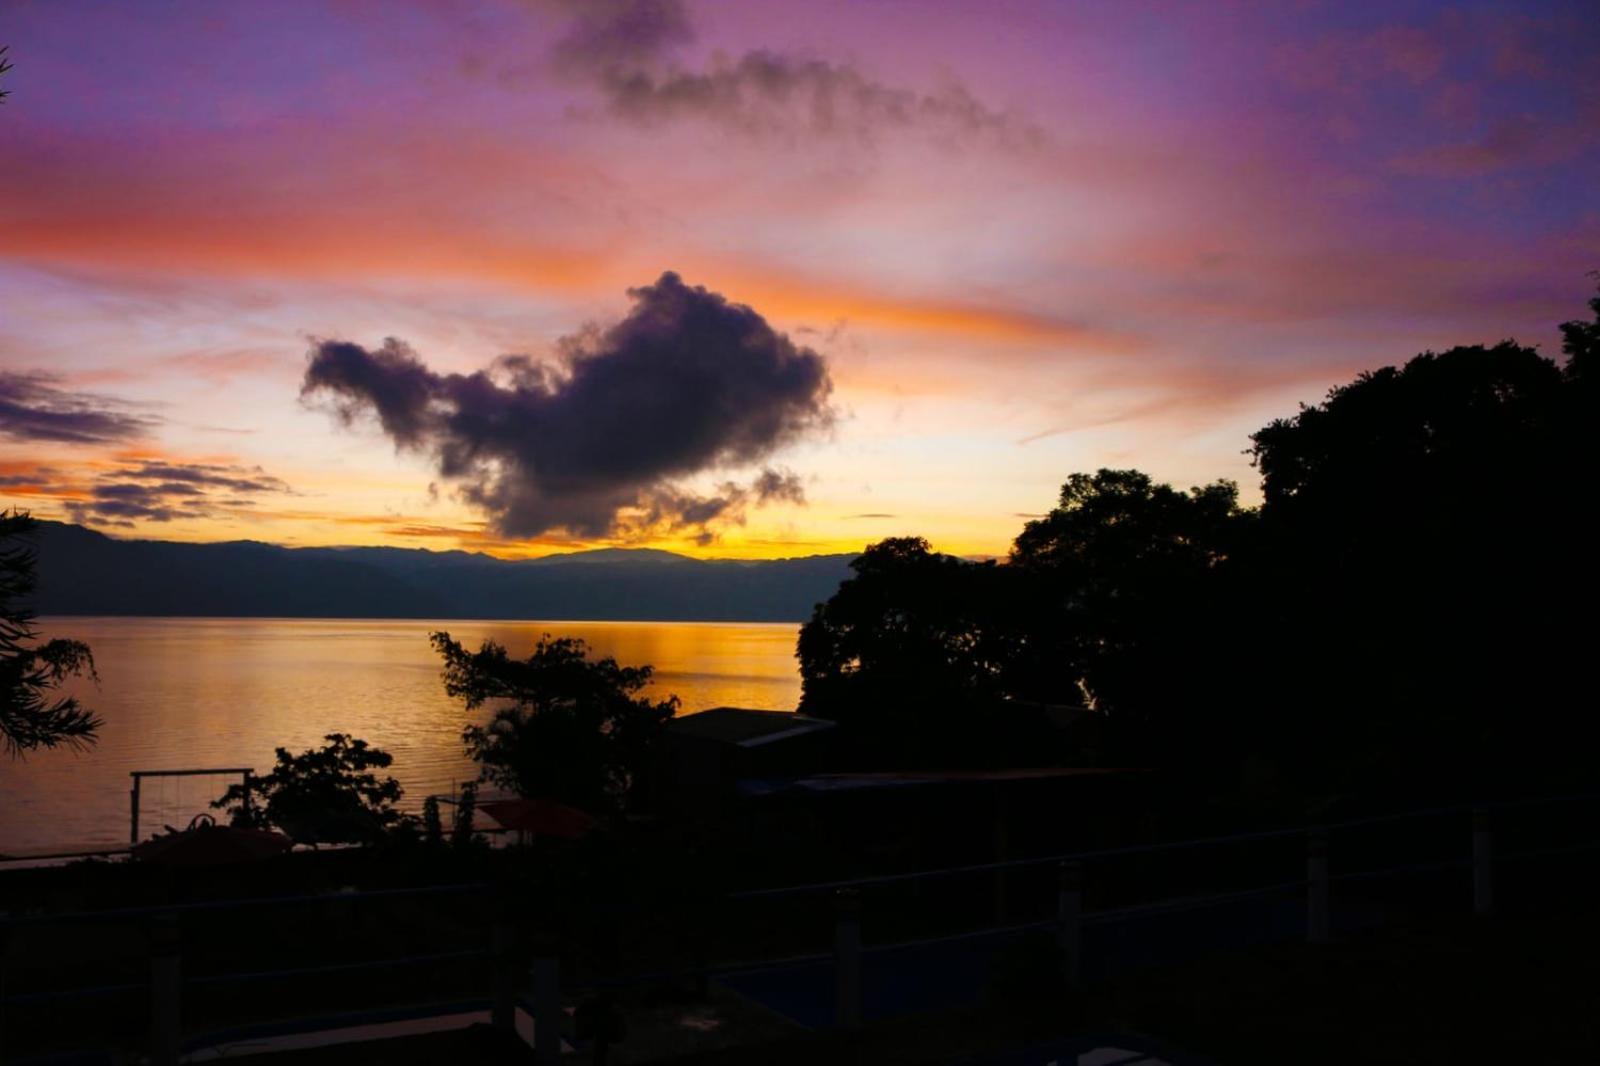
[508,979]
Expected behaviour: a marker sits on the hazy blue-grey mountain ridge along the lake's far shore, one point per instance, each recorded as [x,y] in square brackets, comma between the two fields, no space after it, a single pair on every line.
[89,574]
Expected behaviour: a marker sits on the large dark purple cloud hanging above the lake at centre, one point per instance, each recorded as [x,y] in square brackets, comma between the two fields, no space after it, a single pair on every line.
[599,441]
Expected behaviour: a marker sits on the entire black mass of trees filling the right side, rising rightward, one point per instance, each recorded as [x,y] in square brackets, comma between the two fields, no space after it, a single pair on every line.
[1402,612]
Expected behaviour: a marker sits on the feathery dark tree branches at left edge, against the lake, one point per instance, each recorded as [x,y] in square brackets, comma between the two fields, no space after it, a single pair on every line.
[31,716]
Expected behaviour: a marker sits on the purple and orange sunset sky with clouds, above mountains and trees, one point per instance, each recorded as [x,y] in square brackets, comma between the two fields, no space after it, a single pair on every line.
[983,246]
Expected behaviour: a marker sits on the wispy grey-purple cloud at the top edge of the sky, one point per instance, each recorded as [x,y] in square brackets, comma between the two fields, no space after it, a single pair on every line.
[625,50]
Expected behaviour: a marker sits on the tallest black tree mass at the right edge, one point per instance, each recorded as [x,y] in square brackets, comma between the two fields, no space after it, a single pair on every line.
[1428,519]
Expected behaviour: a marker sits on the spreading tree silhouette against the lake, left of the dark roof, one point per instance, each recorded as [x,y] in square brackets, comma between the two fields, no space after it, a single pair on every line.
[575,731]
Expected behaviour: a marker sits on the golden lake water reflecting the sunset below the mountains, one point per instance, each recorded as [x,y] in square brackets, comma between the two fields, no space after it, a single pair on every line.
[225,692]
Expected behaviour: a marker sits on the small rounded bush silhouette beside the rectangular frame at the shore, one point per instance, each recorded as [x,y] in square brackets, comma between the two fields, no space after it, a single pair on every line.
[322,796]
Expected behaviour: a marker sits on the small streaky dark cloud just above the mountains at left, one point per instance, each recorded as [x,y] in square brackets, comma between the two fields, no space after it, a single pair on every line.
[166,492]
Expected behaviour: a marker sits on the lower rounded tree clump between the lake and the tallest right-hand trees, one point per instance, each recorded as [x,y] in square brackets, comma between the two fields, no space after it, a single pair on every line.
[1094,607]
